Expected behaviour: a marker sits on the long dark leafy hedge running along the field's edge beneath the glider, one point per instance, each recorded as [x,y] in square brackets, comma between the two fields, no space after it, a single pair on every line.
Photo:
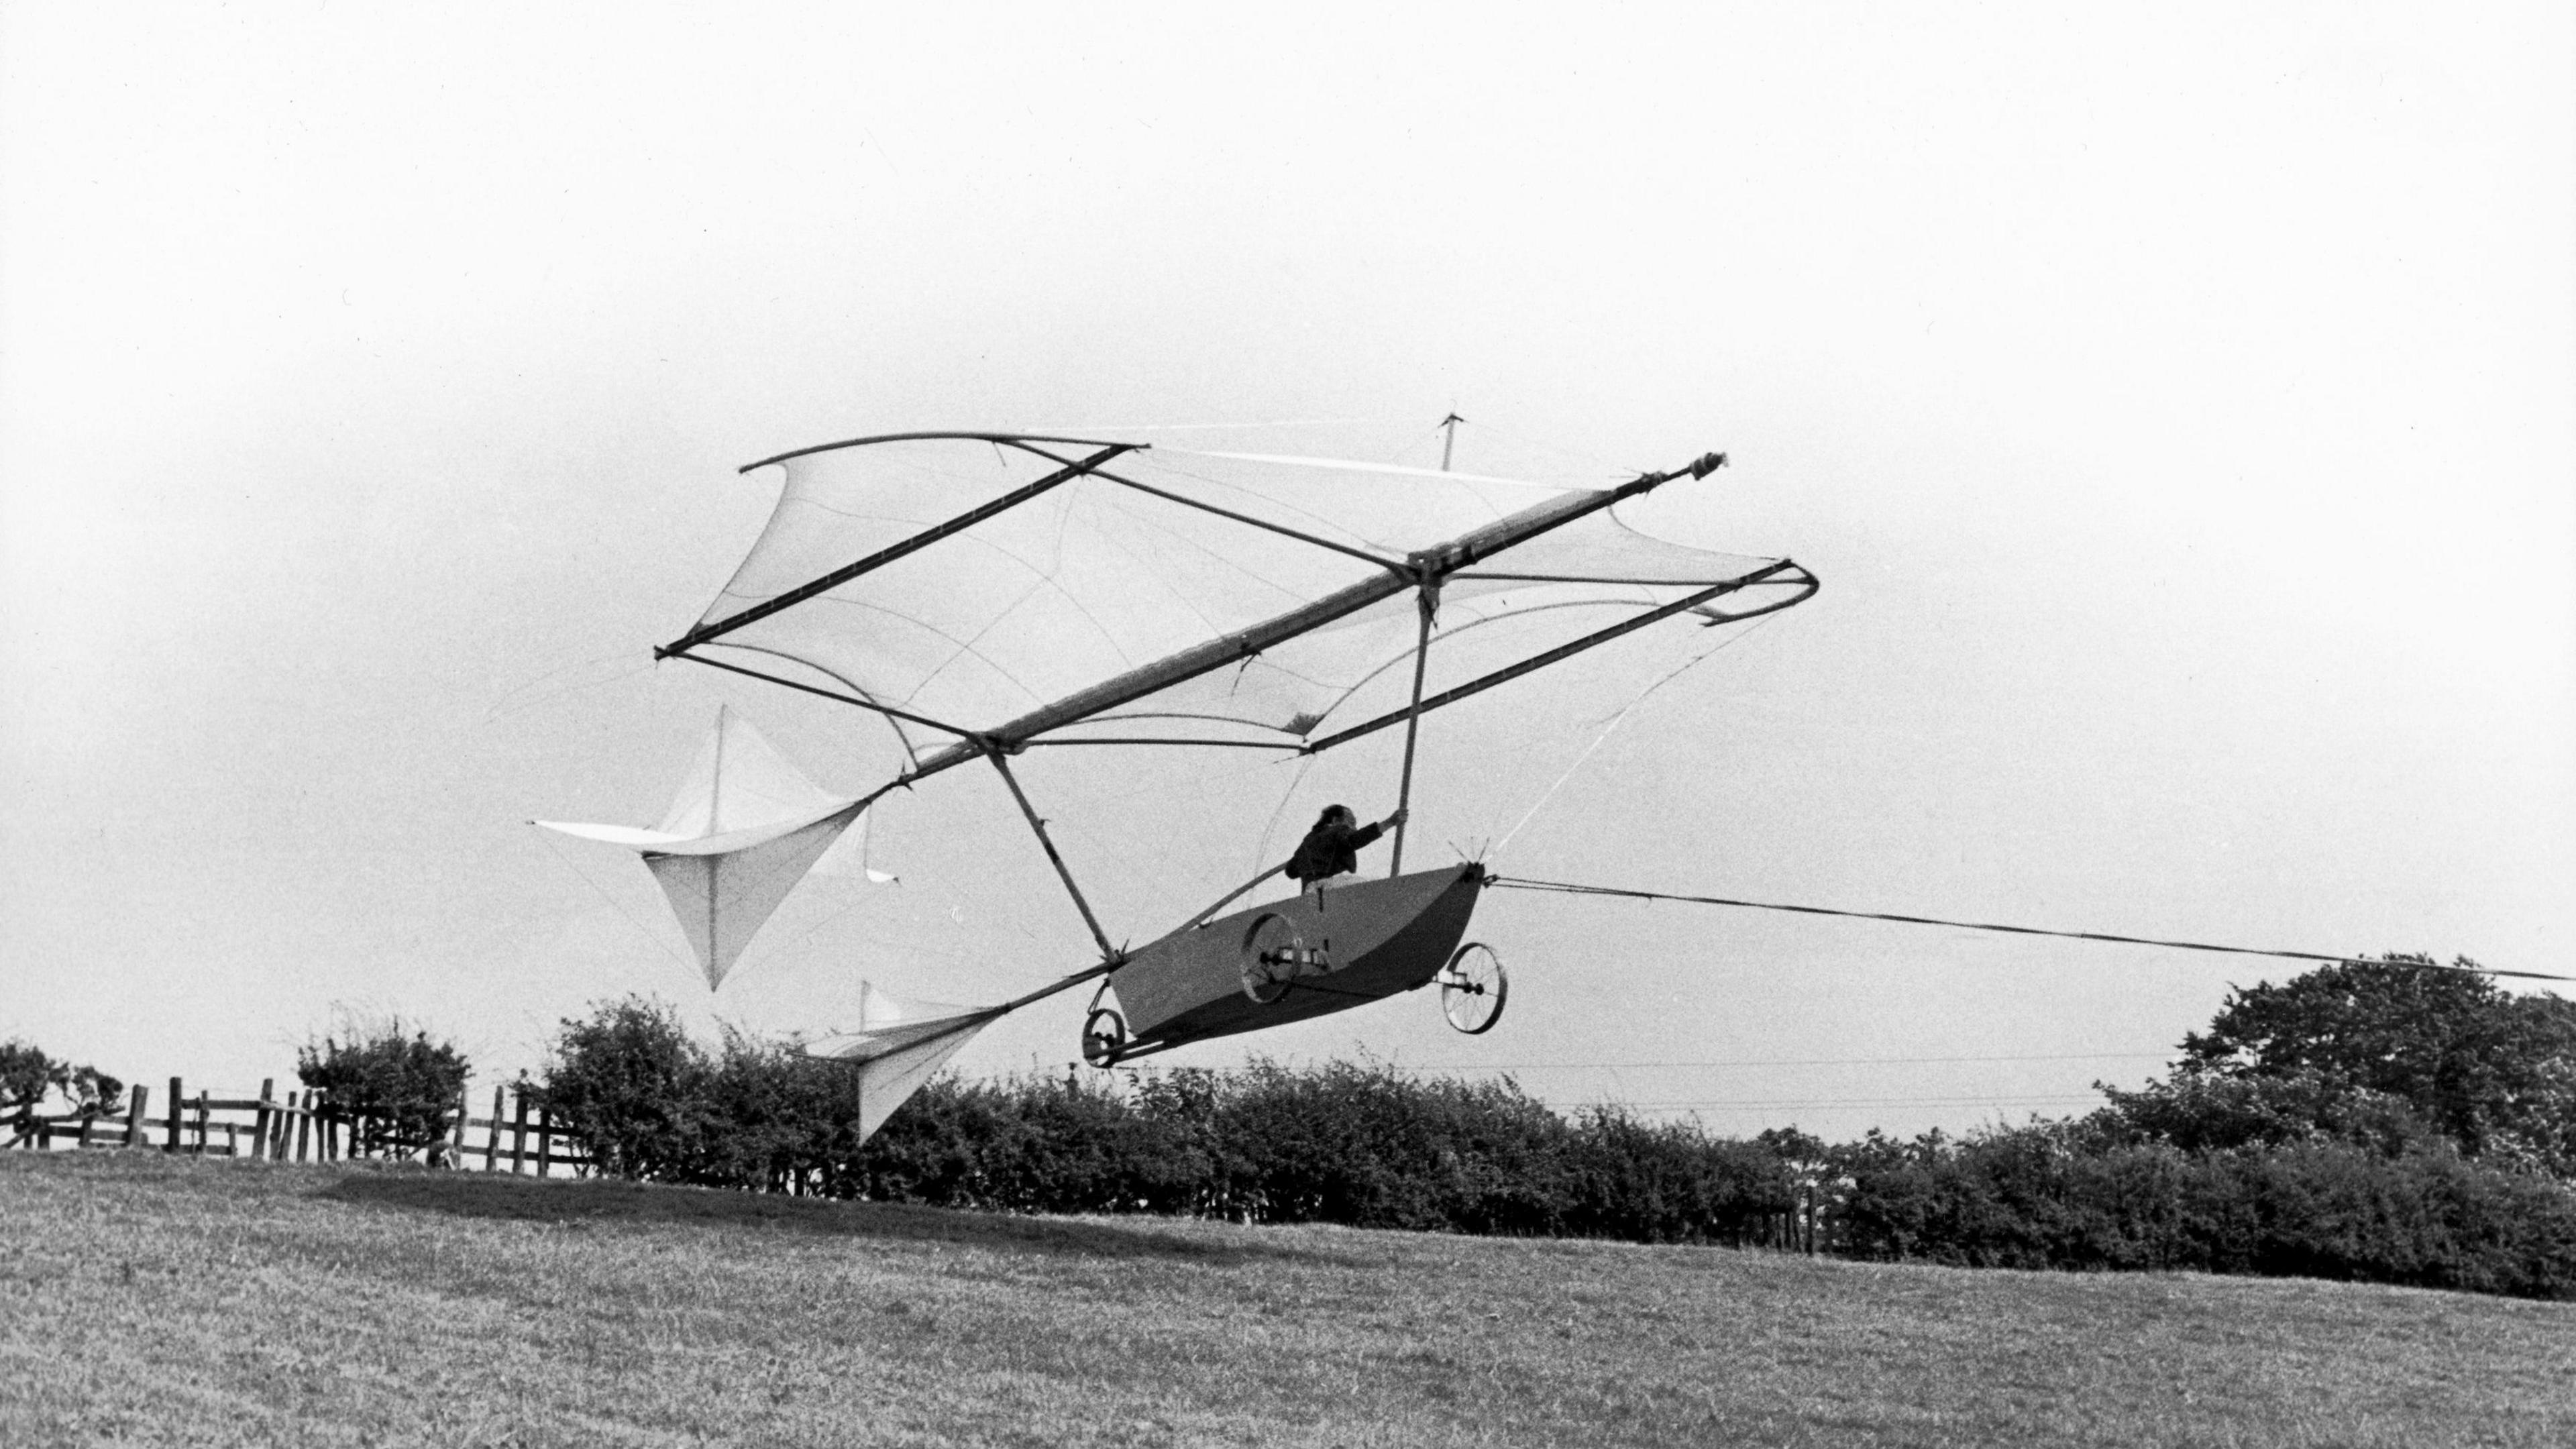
[2230,1172]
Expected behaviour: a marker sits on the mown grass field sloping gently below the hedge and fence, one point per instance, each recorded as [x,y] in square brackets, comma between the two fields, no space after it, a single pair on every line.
[171,1301]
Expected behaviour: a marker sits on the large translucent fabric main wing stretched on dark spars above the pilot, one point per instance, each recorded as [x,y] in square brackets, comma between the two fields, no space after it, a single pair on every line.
[998,589]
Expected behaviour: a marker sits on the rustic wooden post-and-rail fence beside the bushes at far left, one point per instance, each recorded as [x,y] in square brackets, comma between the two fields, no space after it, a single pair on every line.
[303,1128]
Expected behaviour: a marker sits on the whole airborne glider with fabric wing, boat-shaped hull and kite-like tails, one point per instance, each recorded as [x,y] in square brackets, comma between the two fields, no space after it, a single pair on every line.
[988,594]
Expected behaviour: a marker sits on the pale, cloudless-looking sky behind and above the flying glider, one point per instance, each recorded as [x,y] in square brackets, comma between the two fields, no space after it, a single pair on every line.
[2175,404]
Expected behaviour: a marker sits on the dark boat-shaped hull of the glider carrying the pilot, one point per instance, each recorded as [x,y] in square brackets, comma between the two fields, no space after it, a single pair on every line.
[1351,945]
